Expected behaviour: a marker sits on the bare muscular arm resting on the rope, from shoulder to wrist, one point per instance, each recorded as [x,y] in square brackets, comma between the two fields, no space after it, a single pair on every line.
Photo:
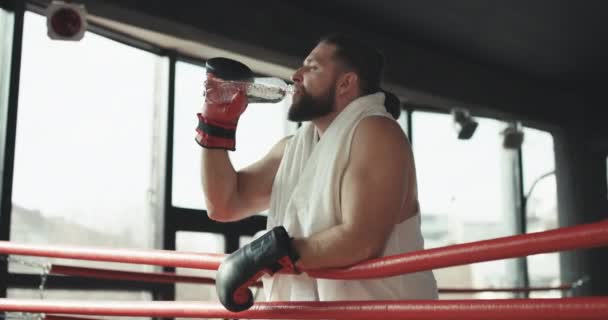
[373,195]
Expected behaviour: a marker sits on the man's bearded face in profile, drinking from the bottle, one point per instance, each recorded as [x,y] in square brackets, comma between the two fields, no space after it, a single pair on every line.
[315,84]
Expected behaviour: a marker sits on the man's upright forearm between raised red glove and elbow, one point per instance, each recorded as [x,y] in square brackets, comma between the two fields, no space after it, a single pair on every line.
[219,180]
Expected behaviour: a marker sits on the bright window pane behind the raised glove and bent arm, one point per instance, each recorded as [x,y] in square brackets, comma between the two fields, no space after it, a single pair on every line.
[260,127]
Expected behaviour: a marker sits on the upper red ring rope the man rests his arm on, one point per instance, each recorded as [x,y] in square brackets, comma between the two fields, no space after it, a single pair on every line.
[577,237]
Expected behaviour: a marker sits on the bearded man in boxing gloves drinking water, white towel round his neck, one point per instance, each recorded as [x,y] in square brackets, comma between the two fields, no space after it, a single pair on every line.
[340,191]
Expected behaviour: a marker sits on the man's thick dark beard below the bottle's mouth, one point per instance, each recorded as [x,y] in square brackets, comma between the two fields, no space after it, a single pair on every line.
[309,107]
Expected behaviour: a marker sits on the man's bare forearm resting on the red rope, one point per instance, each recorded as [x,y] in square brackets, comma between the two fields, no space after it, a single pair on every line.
[334,248]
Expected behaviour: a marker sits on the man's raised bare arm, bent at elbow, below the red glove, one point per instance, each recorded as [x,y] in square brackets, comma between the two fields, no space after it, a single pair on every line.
[232,195]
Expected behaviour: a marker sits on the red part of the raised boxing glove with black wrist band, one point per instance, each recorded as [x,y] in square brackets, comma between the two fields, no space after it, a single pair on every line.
[218,120]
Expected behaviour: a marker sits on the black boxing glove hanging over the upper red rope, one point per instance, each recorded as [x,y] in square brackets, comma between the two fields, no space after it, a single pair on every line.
[270,253]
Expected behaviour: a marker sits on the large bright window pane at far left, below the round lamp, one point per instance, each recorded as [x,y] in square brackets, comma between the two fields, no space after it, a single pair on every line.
[84,159]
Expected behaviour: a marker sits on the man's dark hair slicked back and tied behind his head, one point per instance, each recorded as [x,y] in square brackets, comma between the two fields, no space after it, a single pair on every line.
[367,62]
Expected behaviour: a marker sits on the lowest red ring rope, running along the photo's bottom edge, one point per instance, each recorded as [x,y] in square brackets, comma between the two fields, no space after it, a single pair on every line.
[593,308]
